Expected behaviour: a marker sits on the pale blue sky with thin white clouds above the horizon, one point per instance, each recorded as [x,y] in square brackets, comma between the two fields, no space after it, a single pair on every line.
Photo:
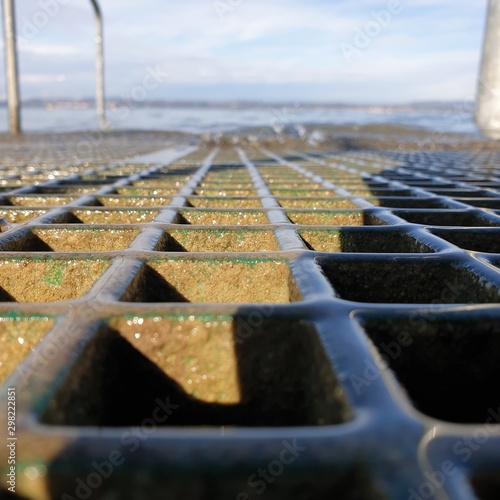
[284,50]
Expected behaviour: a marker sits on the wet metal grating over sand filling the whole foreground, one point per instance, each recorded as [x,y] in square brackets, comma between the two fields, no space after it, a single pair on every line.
[246,323]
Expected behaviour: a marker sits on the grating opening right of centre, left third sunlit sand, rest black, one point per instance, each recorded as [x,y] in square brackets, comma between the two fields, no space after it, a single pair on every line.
[367,241]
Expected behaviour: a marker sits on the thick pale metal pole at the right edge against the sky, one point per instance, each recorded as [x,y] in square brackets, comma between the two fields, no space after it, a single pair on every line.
[488,90]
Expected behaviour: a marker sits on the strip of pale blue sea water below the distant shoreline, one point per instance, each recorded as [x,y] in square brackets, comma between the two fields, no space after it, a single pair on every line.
[201,120]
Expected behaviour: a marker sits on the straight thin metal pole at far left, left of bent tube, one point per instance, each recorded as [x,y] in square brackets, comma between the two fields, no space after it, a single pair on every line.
[11,67]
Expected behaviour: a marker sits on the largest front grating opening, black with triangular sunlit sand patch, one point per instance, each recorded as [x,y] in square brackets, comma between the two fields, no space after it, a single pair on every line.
[219,371]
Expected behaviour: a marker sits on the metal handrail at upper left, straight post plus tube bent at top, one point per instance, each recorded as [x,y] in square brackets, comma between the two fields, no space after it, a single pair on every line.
[12,67]
